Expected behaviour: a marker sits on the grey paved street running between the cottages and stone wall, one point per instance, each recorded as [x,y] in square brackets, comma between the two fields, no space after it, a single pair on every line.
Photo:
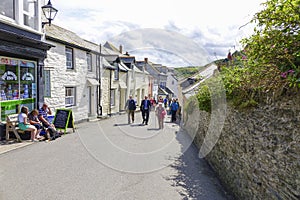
[110,159]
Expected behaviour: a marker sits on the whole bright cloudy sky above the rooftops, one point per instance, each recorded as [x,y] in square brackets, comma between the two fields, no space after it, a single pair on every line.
[212,25]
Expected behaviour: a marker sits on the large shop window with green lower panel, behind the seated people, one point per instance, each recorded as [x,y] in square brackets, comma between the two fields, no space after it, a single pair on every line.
[17,85]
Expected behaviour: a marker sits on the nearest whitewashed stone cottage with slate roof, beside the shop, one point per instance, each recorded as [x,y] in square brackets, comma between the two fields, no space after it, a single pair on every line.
[71,73]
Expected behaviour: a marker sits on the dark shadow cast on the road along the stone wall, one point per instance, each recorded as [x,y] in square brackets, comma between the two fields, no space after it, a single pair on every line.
[196,176]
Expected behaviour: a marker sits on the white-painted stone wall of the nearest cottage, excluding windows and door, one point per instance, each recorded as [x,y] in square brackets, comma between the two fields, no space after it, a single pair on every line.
[61,78]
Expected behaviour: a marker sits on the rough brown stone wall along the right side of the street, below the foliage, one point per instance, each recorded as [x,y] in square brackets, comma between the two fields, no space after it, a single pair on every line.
[257,155]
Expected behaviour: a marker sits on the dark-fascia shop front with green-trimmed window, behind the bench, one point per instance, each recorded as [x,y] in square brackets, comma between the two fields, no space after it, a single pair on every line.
[22,55]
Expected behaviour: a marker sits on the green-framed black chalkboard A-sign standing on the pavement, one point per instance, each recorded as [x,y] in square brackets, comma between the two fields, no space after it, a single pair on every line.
[63,119]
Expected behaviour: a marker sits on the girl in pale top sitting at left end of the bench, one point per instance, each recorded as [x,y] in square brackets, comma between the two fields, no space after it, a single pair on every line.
[24,125]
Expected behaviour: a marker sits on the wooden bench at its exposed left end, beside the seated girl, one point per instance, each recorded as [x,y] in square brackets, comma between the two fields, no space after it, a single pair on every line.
[12,125]
